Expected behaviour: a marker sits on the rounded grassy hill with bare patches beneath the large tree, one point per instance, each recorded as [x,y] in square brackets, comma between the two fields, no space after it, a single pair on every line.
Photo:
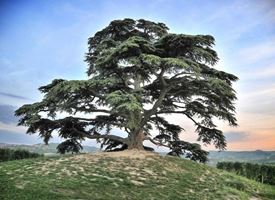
[123,175]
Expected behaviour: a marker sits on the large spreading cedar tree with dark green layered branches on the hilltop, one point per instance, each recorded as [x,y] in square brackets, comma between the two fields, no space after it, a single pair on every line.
[137,74]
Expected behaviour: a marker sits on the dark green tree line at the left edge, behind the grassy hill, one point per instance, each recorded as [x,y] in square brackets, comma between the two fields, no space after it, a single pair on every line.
[16,154]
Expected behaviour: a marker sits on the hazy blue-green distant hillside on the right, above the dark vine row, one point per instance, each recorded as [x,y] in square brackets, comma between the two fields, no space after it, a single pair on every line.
[262,157]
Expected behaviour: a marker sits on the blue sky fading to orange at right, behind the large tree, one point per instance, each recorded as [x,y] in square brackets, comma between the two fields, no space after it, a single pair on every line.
[44,40]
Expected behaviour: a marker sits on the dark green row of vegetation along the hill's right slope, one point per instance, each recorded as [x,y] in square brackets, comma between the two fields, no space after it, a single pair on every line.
[257,172]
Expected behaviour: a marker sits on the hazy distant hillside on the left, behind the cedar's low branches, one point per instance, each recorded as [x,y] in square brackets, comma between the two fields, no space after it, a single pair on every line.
[42,148]
